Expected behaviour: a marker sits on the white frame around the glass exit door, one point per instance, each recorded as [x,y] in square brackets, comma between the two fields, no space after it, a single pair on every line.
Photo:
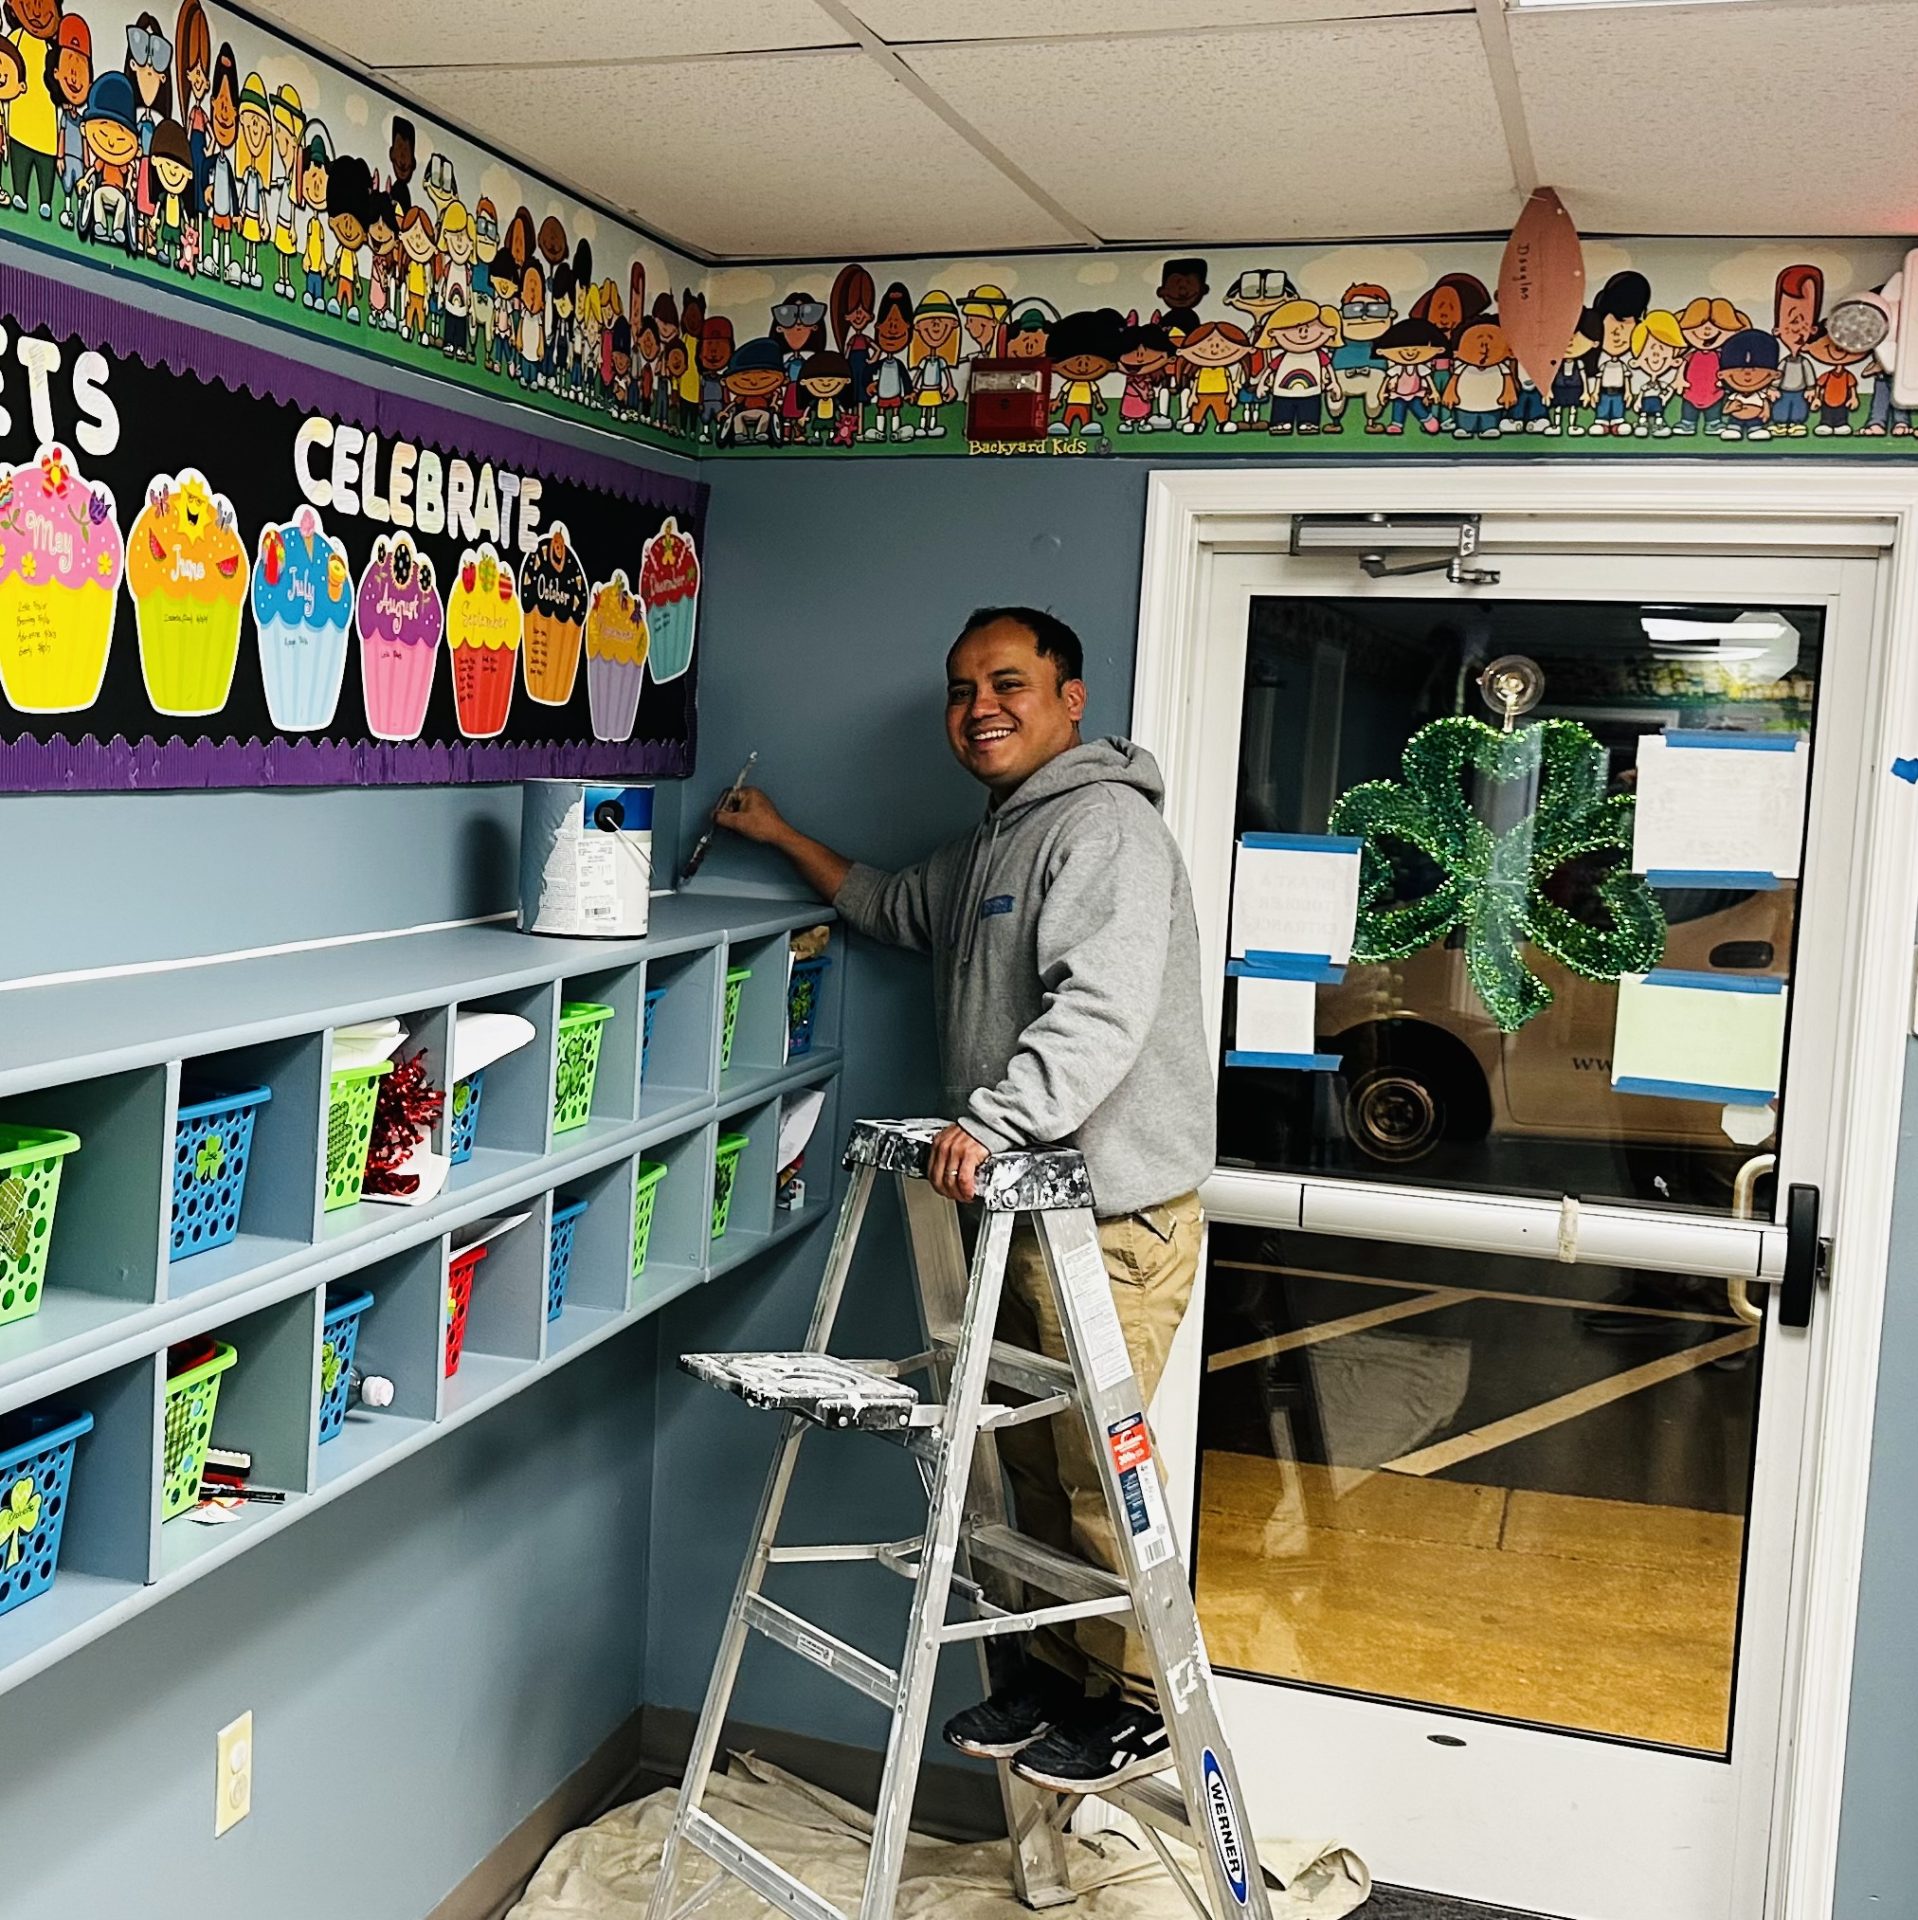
[1191,517]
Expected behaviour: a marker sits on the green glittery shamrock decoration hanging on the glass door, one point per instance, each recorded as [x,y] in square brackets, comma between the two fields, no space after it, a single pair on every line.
[1495,882]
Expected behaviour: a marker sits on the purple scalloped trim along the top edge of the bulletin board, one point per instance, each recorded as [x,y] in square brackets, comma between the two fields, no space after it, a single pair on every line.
[72,312]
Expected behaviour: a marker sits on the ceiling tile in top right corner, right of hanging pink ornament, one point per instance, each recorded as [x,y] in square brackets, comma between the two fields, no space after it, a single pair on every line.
[1727,120]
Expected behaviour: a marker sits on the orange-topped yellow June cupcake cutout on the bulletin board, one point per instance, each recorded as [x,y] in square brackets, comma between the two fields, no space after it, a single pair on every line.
[187,575]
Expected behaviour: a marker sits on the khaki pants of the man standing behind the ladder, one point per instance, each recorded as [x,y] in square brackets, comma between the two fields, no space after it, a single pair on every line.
[1051,1468]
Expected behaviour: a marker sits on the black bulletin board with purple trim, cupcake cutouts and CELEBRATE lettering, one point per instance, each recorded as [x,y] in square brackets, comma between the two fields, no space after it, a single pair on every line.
[222,569]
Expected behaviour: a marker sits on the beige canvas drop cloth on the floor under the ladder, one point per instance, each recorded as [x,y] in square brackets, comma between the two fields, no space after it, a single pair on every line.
[606,1871]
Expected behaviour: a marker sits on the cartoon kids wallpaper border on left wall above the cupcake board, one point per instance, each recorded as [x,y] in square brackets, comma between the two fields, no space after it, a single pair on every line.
[208,155]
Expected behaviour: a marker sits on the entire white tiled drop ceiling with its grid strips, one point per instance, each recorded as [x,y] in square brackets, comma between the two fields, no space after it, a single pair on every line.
[790,130]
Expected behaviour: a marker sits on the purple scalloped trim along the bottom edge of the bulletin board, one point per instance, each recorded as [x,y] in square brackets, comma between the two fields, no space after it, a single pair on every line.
[120,765]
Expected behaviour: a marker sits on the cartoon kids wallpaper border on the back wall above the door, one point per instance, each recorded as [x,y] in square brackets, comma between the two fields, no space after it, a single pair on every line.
[1379,348]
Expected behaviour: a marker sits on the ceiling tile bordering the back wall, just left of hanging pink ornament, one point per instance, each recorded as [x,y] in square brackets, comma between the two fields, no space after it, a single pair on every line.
[1356,128]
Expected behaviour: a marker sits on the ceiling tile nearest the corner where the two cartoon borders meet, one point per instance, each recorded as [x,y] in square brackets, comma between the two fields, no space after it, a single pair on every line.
[798,155]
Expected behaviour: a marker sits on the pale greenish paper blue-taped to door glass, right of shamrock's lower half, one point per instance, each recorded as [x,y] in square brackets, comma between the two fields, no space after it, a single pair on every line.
[1714,1038]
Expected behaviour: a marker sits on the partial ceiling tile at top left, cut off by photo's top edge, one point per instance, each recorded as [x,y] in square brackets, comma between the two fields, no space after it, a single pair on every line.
[460,34]
